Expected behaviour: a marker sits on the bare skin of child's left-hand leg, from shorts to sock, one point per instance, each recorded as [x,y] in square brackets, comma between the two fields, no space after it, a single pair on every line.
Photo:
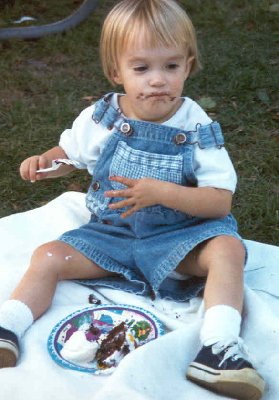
[51,263]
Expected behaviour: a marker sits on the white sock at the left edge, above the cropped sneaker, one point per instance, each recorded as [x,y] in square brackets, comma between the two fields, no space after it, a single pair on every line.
[15,316]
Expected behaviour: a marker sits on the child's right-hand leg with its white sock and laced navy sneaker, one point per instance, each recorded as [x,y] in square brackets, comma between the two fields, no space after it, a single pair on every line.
[221,364]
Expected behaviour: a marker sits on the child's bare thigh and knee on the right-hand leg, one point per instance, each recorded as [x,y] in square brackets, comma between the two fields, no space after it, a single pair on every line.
[219,250]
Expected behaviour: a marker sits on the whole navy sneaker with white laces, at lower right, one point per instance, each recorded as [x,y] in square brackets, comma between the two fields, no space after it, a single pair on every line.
[223,368]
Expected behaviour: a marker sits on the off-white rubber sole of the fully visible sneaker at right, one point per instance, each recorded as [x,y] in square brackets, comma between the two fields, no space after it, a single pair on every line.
[245,384]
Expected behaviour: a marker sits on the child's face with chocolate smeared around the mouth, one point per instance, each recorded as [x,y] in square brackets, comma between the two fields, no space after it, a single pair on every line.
[153,80]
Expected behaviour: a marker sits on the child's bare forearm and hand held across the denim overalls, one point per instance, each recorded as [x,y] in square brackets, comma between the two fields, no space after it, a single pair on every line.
[205,202]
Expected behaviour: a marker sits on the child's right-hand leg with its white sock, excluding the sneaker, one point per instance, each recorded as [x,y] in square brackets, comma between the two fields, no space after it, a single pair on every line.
[221,259]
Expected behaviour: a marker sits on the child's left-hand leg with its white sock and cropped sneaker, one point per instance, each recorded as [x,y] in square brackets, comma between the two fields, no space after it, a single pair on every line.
[50,263]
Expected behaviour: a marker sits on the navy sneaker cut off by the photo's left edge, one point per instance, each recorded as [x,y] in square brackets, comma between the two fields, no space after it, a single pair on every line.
[9,348]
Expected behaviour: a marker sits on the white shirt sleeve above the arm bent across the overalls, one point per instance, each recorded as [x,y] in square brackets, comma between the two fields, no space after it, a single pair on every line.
[213,167]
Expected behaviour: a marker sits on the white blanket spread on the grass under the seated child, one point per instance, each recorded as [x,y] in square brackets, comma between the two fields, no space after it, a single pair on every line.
[155,371]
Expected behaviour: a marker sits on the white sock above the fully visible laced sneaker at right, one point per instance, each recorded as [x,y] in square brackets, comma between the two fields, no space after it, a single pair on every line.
[221,322]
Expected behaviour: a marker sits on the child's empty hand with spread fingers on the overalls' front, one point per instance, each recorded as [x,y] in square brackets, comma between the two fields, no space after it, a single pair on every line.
[139,193]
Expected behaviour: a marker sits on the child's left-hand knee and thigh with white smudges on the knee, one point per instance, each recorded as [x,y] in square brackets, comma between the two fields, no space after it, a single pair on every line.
[65,261]
